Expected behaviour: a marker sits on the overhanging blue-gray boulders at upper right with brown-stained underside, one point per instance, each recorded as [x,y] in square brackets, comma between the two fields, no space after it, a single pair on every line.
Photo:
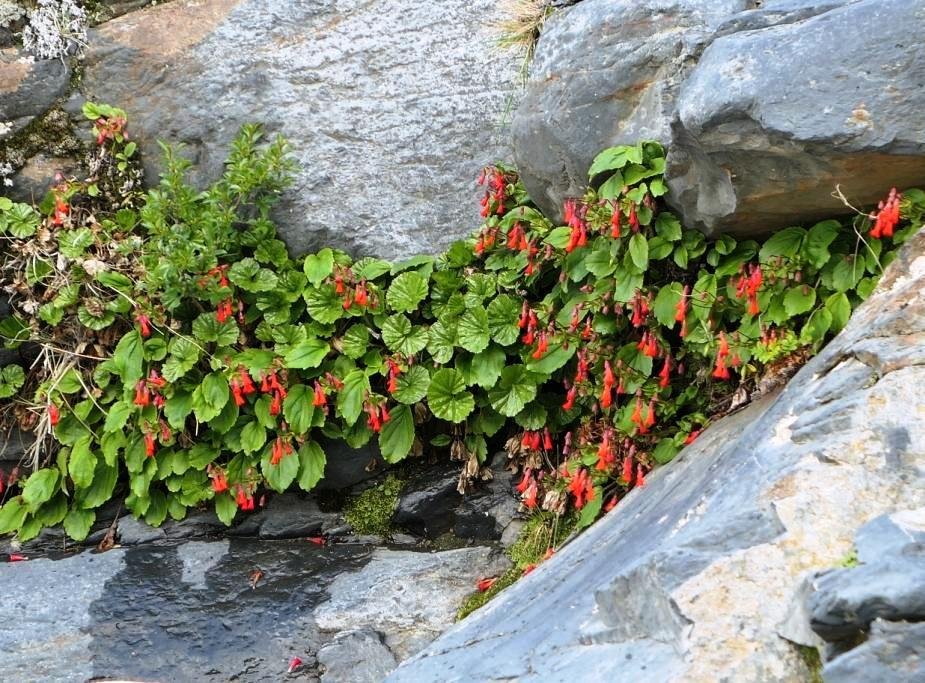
[765,107]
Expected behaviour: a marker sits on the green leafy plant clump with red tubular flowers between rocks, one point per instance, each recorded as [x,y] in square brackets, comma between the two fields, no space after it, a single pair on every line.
[186,359]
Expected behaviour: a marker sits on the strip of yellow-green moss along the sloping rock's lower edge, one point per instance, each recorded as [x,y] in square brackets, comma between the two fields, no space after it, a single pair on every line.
[542,531]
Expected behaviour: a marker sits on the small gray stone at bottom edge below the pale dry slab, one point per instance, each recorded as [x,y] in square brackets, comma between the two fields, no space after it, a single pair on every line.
[357,656]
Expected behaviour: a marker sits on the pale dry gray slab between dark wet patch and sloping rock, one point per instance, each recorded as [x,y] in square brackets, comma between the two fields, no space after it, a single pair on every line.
[409,597]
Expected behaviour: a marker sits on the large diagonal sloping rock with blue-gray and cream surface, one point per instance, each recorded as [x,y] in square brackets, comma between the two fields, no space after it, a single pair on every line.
[695,576]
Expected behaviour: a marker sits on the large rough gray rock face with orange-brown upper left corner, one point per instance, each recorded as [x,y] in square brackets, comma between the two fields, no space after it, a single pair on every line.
[390,106]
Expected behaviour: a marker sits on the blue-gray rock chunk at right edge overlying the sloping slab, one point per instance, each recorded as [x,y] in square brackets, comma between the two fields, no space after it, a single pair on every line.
[846,601]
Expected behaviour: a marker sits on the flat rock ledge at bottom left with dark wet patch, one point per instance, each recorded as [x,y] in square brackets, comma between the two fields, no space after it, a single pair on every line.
[231,609]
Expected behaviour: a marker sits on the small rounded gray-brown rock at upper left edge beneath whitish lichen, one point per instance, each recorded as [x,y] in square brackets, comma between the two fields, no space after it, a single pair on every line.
[28,88]
